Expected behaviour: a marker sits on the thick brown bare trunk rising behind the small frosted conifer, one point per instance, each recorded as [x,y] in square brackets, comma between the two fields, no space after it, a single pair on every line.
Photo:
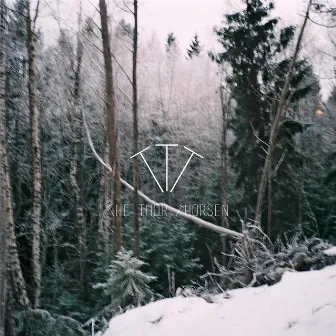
[112,137]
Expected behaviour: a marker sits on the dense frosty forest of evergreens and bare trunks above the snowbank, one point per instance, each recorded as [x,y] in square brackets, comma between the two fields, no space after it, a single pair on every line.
[133,170]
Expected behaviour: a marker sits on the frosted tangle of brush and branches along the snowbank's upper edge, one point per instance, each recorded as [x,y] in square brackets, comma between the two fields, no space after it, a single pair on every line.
[255,261]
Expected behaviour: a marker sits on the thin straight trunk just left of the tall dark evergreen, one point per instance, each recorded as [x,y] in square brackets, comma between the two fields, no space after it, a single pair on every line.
[224,219]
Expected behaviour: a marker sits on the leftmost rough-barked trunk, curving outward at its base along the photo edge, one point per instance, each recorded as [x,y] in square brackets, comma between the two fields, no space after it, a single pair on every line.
[14,271]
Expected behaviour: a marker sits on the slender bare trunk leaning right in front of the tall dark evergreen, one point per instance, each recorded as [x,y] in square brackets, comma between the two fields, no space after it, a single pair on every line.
[277,122]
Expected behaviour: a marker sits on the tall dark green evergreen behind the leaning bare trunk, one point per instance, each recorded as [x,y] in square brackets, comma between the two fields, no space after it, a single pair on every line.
[252,48]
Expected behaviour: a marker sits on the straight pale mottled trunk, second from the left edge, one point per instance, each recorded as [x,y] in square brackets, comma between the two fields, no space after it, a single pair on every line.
[36,163]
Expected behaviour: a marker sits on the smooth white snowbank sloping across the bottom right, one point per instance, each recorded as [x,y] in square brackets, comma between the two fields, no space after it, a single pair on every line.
[302,304]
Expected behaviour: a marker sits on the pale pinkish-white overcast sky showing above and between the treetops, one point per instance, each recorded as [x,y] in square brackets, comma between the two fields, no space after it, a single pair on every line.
[187,17]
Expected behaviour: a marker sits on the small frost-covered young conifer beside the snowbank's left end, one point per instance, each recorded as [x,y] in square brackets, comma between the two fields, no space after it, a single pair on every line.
[126,285]
